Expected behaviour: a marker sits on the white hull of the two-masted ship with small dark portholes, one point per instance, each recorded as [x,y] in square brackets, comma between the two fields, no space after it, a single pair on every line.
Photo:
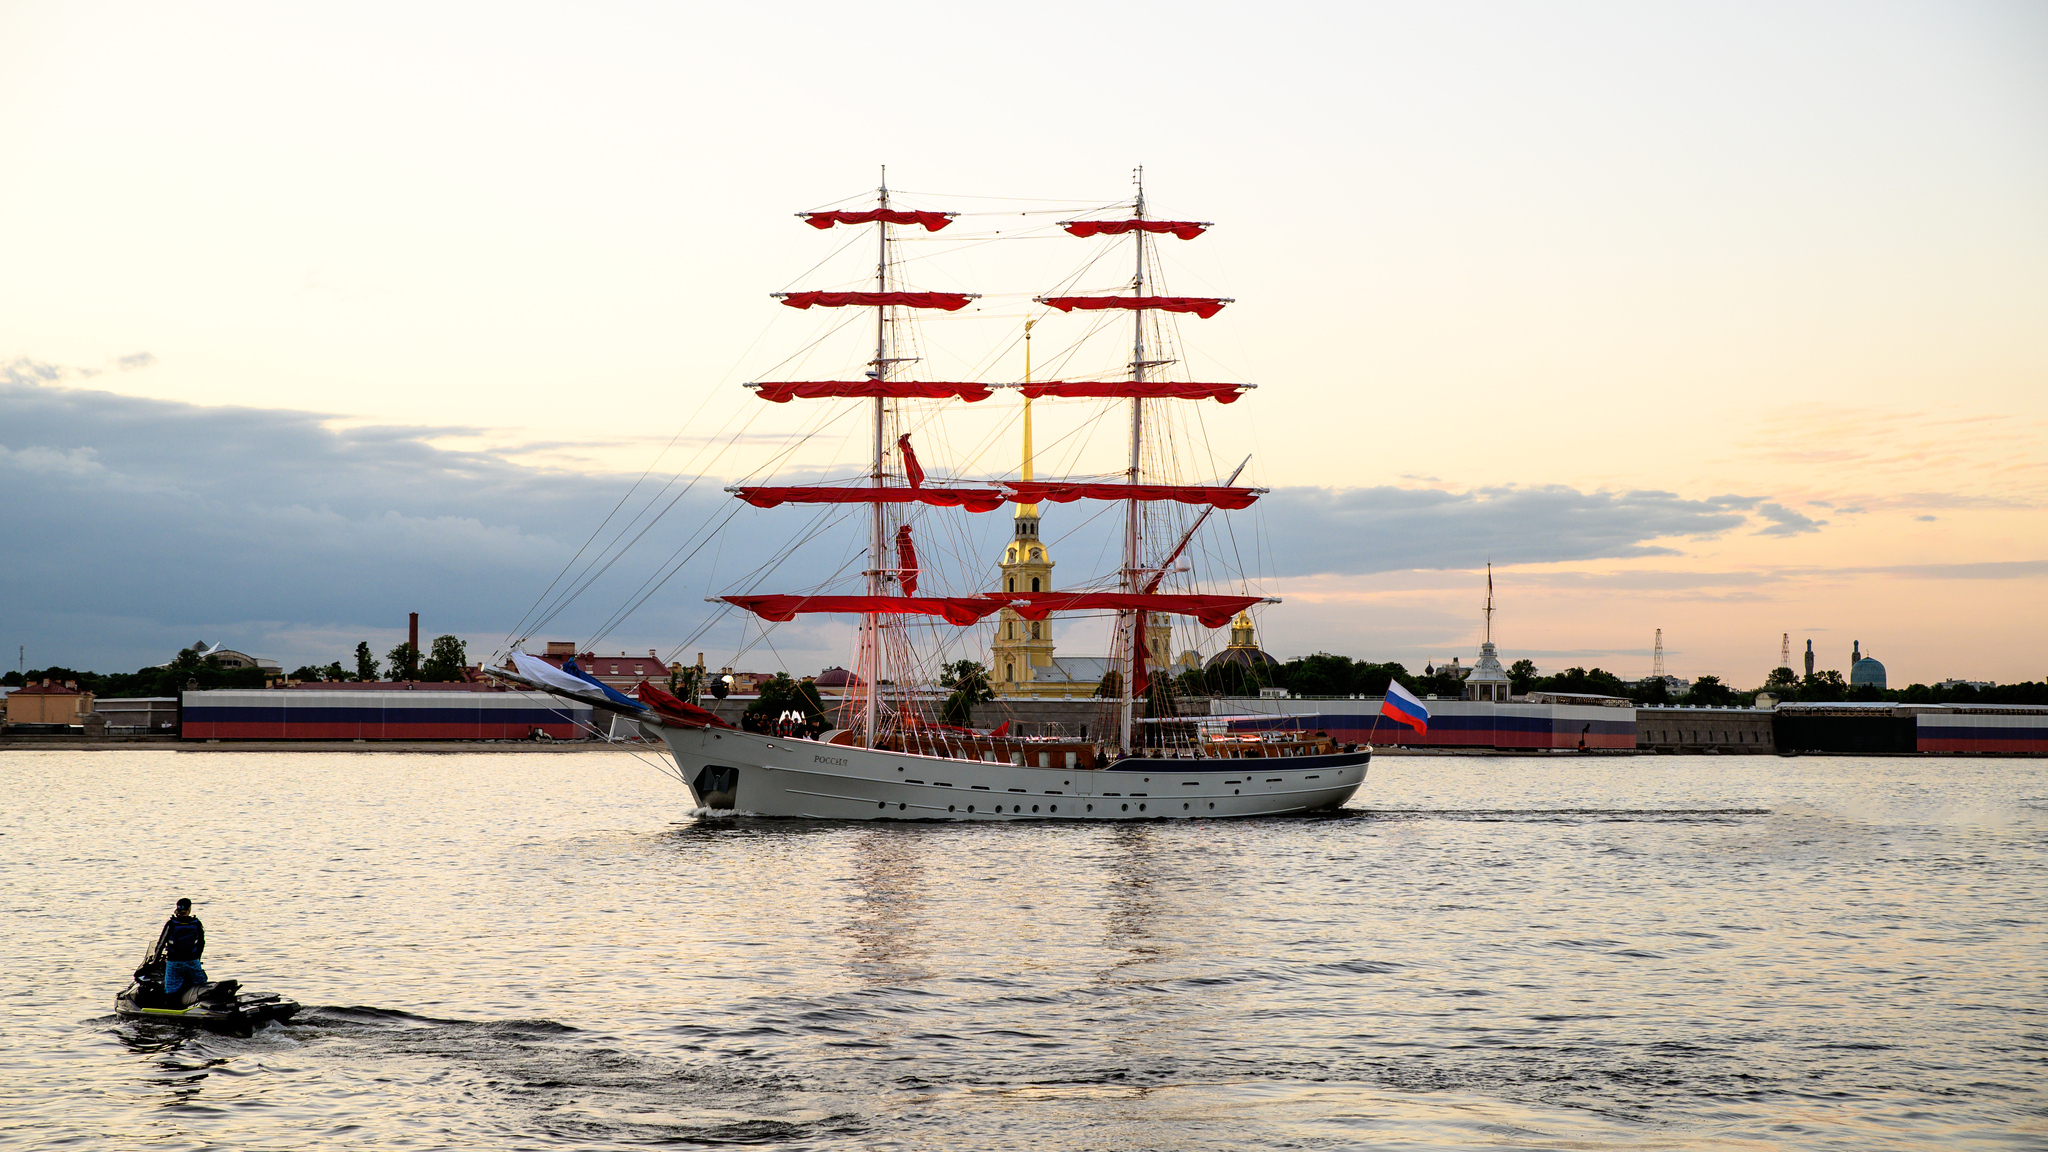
[777,776]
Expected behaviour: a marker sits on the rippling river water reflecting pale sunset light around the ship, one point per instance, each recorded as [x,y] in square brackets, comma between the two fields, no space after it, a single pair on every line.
[552,952]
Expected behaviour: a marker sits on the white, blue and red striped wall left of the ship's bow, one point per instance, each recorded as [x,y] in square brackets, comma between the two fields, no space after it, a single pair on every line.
[421,714]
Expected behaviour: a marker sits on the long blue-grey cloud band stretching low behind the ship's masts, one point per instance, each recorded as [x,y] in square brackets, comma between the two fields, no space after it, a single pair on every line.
[288,532]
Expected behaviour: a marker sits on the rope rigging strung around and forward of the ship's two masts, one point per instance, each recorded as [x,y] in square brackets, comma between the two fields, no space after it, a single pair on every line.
[949,544]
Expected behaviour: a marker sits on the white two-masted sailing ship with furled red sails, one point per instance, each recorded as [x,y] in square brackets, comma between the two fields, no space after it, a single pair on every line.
[890,759]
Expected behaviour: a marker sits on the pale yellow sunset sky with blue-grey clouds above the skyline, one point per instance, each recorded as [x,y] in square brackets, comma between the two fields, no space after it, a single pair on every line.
[1727,321]
